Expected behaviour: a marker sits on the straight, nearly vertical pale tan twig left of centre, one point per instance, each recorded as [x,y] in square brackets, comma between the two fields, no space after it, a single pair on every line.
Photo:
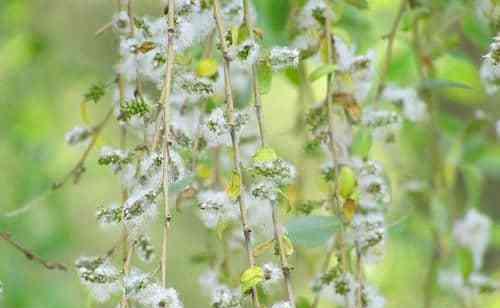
[164,101]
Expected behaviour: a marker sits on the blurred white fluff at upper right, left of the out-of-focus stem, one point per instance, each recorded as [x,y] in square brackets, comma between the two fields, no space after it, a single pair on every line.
[414,109]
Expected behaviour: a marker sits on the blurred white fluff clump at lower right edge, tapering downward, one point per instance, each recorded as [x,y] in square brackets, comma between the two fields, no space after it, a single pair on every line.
[473,233]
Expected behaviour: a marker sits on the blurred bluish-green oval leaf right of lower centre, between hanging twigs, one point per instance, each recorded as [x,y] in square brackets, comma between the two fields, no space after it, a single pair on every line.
[311,231]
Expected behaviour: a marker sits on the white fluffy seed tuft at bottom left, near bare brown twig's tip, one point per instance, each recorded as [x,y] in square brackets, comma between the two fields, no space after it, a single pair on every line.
[99,275]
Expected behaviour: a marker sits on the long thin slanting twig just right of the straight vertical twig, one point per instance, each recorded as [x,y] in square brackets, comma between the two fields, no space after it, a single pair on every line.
[235,142]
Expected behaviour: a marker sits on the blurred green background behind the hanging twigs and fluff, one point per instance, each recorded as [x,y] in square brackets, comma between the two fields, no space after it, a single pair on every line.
[48,58]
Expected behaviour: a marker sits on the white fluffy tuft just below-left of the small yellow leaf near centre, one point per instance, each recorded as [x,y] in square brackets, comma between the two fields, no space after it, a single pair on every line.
[215,207]
